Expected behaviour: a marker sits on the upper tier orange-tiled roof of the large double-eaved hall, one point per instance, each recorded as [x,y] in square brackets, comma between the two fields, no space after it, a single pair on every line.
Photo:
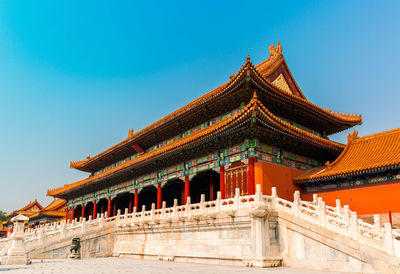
[262,73]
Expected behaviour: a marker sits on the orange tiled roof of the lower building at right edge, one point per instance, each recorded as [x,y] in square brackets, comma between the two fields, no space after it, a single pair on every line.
[370,153]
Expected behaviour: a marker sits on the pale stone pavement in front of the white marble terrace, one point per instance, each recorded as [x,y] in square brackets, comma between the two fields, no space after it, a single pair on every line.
[124,265]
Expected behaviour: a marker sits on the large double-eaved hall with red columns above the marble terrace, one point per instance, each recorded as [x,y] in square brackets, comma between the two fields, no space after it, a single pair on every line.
[257,128]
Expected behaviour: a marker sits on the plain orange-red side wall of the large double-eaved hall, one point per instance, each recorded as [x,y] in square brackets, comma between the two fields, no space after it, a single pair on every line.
[281,177]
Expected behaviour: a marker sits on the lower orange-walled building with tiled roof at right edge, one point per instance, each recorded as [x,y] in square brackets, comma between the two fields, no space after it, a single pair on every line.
[365,176]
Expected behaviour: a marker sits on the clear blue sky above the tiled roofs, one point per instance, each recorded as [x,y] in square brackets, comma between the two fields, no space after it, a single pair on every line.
[75,76]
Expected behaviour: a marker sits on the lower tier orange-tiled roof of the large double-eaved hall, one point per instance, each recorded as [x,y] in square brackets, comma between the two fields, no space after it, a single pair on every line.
[254,108]
